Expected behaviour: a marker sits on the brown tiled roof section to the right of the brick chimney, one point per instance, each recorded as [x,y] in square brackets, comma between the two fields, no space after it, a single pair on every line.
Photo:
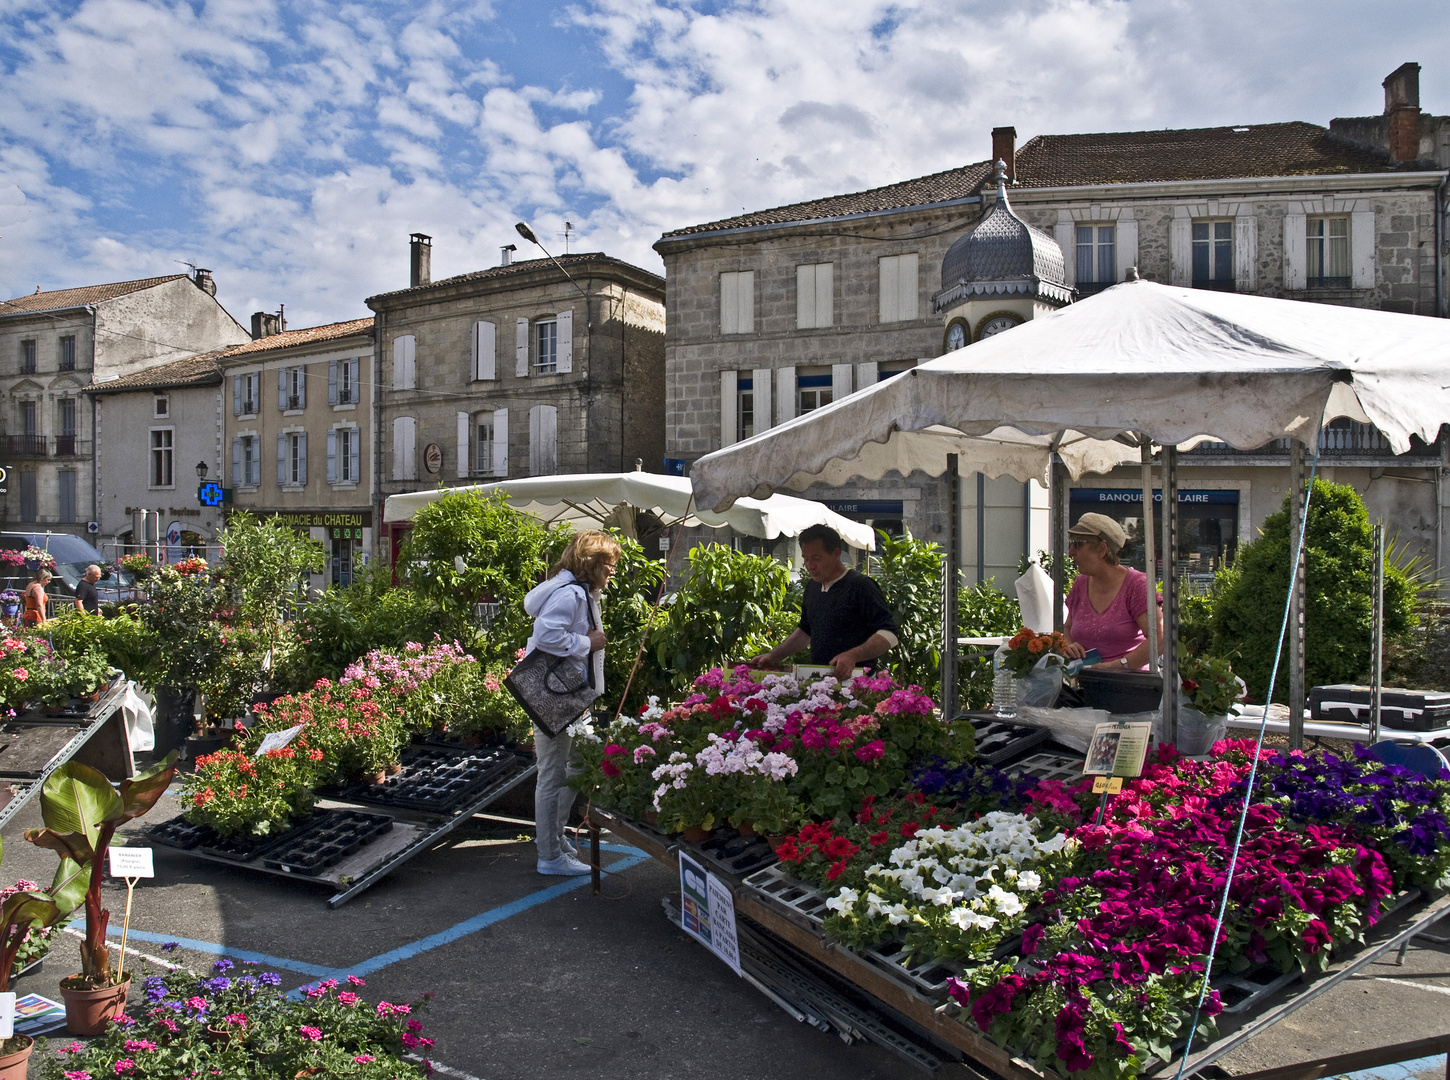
[1264,150]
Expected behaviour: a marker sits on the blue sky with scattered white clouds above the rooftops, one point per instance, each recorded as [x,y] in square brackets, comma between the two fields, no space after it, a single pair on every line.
[292,147]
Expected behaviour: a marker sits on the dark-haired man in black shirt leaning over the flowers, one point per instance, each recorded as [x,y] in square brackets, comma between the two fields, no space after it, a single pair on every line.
[845,618]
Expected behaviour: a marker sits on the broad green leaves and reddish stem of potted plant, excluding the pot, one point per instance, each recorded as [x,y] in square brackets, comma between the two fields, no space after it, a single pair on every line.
[82,813]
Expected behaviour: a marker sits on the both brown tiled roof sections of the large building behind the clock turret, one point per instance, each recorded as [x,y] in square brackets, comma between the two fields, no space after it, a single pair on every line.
[1265,150]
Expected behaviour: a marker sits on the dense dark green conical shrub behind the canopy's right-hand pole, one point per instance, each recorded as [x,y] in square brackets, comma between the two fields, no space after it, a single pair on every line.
[1339,576]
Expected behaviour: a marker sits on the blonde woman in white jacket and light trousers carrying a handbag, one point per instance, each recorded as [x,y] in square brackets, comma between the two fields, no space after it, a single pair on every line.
[566,624]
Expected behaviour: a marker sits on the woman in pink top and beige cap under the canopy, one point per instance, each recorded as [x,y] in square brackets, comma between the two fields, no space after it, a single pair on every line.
[1109,604]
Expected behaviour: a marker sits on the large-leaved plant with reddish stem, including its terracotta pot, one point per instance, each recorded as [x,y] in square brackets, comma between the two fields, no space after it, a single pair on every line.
[82,813]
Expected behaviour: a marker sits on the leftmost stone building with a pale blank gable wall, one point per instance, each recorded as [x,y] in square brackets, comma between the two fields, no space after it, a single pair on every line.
[56,344]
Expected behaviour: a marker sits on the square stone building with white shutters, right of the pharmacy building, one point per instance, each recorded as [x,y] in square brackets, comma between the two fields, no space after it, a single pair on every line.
[526,369]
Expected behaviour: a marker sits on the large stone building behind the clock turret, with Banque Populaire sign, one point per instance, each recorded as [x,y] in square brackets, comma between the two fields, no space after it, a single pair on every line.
[778,312]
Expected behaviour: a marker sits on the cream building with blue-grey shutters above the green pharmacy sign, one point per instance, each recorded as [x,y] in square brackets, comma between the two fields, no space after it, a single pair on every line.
[298,411]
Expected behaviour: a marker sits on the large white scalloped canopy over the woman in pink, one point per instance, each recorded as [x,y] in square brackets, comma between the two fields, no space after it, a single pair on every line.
[1169,365]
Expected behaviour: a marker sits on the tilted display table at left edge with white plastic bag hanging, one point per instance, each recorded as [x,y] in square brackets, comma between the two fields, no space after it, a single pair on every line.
[34,744]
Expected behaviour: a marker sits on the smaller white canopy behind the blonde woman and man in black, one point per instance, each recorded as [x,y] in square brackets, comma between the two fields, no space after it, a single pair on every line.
[592,498]
